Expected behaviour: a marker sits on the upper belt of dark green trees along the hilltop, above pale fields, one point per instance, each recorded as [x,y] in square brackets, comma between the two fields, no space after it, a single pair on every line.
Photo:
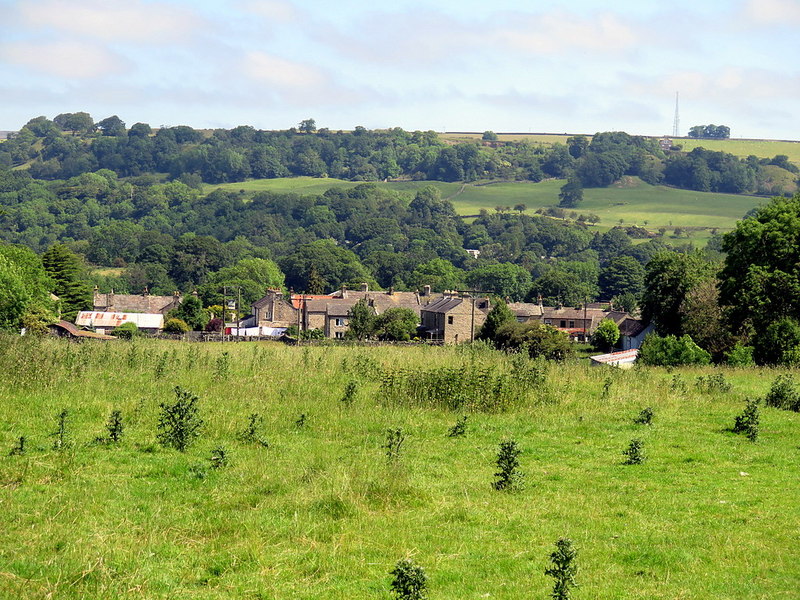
[72,144]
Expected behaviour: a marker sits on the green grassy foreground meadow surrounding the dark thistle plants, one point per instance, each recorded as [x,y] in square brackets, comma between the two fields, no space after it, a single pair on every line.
[322,513]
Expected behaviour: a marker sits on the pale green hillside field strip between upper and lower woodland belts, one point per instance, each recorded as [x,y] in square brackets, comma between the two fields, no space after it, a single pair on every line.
[633,201]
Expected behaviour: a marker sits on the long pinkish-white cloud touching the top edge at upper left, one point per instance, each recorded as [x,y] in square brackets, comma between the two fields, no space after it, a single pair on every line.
[113,20]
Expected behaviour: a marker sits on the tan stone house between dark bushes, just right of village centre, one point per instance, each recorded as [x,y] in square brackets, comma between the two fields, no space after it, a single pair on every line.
[453,320]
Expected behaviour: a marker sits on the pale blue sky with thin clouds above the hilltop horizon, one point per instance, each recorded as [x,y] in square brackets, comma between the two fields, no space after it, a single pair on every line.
[575,66]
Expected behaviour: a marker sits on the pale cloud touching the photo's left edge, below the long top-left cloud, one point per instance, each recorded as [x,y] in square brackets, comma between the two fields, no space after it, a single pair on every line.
[65,59]
